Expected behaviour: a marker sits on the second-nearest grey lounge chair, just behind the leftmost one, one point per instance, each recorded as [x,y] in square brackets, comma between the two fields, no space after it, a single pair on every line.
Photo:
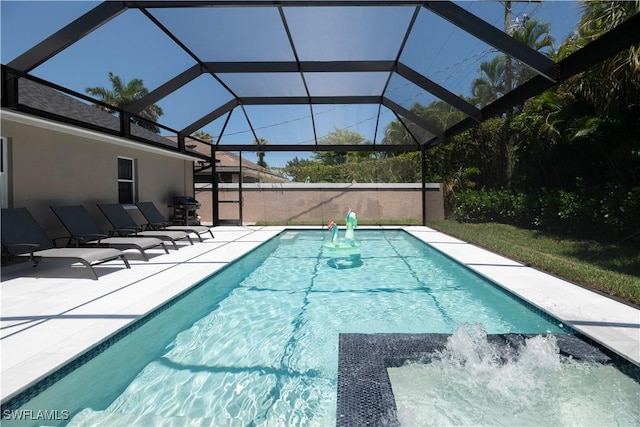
[85,231]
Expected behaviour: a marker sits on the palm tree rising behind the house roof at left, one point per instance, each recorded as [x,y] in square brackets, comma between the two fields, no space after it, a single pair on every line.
[122,95]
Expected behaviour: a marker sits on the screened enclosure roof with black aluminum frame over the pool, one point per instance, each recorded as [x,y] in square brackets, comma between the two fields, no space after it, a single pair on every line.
[233,73]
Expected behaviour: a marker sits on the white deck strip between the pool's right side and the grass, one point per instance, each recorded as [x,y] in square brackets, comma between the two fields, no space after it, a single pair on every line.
[609,322]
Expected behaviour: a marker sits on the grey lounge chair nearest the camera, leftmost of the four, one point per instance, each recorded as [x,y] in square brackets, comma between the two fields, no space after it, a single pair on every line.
[22,236]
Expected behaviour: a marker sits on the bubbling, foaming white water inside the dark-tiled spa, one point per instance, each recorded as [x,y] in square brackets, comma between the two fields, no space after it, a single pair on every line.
[470,383]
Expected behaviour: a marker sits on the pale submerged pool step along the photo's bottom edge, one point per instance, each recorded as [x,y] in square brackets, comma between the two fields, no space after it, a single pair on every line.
[90,418]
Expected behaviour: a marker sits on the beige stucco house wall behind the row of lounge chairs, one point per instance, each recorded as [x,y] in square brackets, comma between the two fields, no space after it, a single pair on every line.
[48,167]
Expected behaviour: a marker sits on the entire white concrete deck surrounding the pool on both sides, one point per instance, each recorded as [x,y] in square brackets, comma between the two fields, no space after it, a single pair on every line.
[54,313]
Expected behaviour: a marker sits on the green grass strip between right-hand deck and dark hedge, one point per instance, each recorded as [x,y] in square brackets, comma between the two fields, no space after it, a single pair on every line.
[614,270]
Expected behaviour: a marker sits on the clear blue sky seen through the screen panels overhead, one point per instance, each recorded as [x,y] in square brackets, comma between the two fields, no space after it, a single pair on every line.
[131,46]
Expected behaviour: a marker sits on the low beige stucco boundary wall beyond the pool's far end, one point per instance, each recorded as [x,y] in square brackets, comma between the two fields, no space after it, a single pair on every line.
[319,203]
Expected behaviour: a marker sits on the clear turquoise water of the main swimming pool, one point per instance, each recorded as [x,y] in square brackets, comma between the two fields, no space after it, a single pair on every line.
[257,343]
